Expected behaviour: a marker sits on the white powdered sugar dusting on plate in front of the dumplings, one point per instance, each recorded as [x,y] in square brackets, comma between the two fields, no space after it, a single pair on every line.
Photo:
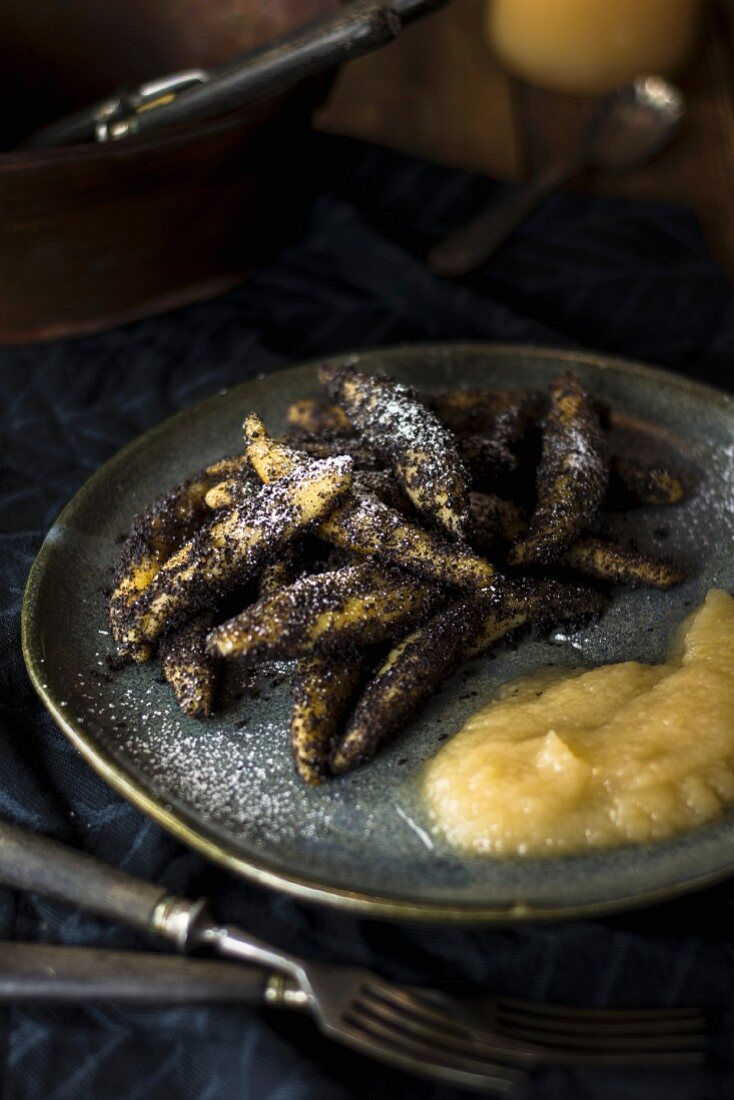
[234,769]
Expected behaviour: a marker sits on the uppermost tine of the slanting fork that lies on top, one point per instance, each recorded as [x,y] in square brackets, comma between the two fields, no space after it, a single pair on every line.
[393,1007]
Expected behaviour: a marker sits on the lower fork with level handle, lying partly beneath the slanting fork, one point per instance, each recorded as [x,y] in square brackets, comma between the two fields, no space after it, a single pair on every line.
[550,1033]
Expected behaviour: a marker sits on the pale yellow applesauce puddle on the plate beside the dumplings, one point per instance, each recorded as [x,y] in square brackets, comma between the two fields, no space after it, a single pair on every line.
[564,762]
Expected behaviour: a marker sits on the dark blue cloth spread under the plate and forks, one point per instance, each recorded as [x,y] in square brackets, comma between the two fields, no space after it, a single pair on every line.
[625,278]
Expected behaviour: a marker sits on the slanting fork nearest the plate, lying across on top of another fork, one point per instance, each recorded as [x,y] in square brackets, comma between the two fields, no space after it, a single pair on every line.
[353,1006]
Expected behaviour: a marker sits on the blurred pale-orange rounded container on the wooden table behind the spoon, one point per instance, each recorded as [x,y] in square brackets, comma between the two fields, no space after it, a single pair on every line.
[591,47]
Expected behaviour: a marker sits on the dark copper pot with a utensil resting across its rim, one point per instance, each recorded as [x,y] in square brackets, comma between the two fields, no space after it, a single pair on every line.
[97,235]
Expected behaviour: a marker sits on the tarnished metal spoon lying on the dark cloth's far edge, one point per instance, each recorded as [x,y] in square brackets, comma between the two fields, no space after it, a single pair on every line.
[629,130]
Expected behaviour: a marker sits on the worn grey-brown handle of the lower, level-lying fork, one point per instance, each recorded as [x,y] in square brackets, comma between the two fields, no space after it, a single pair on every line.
[85,975]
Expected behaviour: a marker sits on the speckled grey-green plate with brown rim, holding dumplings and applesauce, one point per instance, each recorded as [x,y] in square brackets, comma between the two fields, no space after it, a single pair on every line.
[227,786]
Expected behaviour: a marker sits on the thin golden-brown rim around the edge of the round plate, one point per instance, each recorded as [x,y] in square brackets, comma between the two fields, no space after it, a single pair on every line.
[309,889]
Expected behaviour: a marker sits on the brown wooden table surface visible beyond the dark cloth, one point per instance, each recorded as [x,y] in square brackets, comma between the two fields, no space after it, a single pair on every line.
[439,93]
